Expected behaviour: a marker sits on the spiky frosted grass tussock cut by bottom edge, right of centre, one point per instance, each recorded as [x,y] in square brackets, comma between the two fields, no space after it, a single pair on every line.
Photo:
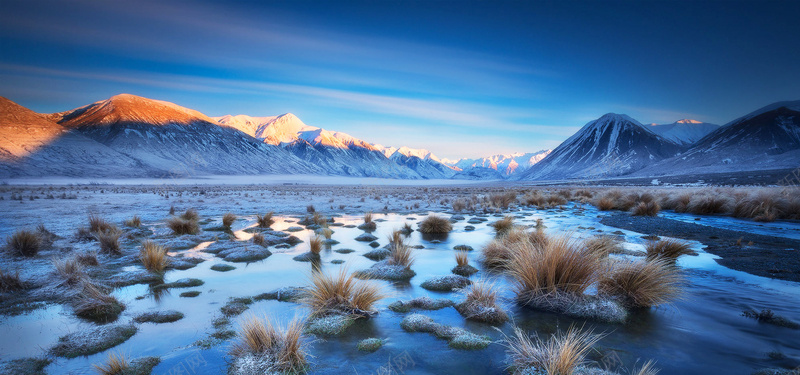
[561,354]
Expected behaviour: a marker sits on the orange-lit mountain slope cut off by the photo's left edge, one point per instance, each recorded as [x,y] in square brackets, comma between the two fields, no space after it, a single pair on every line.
[33,145]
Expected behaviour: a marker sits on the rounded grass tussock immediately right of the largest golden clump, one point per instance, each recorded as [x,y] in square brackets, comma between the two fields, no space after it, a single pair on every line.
[642,284]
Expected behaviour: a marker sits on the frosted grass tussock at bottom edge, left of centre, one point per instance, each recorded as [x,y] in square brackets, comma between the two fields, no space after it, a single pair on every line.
[283,347]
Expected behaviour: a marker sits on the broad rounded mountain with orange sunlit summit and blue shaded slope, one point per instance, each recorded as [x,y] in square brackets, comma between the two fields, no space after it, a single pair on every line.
[176,141]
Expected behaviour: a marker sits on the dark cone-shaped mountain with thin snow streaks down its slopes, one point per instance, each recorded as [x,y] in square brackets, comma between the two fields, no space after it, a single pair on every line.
[612,145]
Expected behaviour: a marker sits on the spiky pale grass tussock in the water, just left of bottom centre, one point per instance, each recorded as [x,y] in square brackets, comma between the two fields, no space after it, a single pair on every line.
[341,293]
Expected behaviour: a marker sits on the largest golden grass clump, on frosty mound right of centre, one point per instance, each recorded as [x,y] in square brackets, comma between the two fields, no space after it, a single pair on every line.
[562,265]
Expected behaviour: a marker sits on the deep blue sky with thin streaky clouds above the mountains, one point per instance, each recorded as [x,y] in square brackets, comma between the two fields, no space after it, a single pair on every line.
[459,78]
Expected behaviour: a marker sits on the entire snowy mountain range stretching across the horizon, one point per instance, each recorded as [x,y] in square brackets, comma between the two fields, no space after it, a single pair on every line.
[131,136]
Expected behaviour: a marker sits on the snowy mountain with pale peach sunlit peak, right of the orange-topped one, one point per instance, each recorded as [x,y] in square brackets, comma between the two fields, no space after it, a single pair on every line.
[333,152]
